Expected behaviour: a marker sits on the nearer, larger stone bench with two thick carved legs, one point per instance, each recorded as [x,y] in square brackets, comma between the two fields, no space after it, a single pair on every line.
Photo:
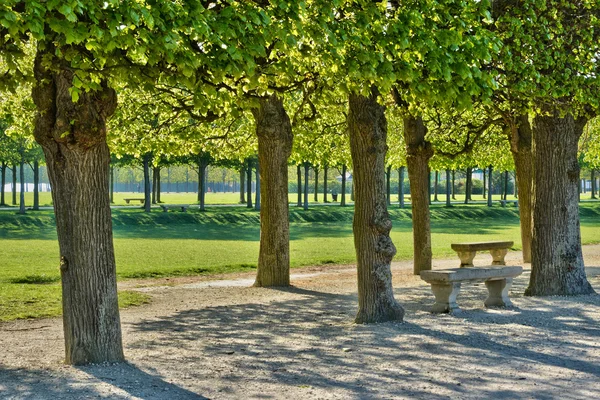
[445,285]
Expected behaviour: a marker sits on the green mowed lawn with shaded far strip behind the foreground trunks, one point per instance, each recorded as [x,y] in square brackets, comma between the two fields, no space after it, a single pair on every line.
[225,240]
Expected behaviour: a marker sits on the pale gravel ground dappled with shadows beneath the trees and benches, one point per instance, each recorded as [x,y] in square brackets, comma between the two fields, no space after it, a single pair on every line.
[224,340]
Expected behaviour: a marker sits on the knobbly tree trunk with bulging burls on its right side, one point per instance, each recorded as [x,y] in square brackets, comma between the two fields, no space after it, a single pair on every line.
[371,223]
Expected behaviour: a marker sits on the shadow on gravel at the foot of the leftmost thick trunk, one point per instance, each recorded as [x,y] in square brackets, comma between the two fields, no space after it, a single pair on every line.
[122,381]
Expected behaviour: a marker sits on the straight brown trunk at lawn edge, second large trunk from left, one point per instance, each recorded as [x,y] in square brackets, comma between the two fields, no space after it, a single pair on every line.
[275,138]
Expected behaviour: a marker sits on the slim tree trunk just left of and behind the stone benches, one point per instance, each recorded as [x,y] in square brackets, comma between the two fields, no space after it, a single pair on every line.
[418,153]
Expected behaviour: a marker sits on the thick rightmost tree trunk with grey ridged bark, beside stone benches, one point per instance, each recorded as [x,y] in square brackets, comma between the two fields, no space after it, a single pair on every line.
[556,258]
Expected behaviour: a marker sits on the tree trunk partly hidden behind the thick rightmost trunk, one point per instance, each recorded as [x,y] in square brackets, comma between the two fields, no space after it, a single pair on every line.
[521,140]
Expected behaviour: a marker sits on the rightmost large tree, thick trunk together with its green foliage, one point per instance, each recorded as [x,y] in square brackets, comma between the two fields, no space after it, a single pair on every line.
[549,63]
